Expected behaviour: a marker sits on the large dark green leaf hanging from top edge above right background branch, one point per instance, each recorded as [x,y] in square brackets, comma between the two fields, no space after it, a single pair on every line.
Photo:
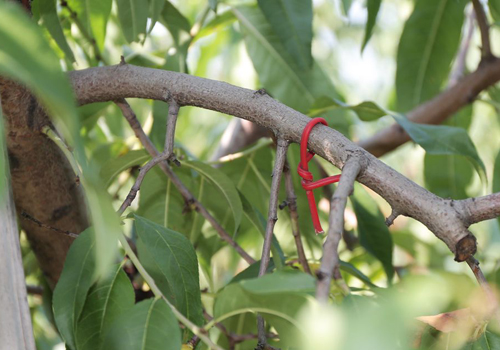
[426,50]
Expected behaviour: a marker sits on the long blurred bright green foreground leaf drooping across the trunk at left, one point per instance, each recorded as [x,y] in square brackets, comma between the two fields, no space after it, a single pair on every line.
[26,57]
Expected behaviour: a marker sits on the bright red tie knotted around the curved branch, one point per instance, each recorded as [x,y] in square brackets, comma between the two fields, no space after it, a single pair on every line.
[305,174]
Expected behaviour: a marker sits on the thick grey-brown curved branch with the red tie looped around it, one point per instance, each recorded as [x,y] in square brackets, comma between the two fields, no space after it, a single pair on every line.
[405,196]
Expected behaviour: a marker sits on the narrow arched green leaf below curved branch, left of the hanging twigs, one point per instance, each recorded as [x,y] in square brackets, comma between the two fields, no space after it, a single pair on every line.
[224,184]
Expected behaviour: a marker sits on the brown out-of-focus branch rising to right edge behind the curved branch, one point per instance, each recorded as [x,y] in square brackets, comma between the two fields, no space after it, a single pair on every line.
[438,109]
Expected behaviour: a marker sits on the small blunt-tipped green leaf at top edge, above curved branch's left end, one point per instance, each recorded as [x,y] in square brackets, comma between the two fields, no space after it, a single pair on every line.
[133,17]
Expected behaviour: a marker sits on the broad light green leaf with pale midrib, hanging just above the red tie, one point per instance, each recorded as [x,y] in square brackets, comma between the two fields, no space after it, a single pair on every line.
[277,70]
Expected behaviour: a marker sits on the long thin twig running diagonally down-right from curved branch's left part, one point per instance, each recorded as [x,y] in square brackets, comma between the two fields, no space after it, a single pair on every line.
[130,116]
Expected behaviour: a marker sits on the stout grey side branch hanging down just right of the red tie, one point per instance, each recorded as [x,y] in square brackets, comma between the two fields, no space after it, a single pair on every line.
[330,261]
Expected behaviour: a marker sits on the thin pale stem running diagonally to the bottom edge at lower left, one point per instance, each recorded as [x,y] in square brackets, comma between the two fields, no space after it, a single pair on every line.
[200,332]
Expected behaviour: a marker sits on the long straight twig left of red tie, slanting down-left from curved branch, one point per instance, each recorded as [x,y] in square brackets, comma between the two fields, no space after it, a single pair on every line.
[272,217]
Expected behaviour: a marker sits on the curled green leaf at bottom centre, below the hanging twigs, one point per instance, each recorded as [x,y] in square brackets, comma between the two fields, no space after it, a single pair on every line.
[278,297]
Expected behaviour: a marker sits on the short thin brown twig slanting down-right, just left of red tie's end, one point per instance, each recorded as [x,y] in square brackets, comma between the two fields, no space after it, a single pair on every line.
[291,200]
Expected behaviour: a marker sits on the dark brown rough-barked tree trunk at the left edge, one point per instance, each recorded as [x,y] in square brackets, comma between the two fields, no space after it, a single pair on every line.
[44,185]
